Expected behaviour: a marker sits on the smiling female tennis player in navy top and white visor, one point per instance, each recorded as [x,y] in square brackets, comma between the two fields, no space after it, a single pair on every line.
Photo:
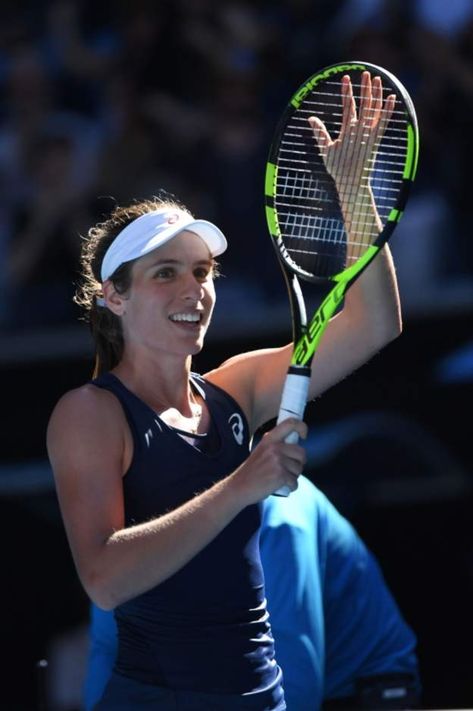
[160,495]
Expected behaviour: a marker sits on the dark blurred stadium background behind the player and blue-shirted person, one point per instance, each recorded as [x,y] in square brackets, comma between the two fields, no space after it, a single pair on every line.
[116,103]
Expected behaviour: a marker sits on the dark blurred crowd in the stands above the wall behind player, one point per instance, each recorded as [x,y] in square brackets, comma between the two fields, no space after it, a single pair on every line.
[103,103]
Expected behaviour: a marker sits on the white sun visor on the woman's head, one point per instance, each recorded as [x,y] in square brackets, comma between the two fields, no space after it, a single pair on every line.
[152,230]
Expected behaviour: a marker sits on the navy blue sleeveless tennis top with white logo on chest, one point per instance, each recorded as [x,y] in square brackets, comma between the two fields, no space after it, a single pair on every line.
[206,627]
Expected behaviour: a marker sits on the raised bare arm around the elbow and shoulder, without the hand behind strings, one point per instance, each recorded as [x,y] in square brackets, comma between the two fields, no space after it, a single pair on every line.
[370,319]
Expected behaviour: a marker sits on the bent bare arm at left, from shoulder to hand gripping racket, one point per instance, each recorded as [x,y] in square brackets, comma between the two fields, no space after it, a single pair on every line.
[88,441]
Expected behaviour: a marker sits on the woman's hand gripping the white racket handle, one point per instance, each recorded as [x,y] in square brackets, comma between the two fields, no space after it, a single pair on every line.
[273,463]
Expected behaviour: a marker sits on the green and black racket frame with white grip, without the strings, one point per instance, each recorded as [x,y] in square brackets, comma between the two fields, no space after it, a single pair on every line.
[307,335]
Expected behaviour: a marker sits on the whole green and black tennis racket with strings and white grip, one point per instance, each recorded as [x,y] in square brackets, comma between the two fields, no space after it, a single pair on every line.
[339,170]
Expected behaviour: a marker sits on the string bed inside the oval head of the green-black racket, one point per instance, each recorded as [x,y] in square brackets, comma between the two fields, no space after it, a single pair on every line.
[309,204]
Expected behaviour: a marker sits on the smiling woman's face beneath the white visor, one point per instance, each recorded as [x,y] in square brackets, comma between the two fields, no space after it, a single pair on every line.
[171,299]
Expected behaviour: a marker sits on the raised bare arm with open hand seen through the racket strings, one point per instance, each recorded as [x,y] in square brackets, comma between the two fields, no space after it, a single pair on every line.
[371,316]
